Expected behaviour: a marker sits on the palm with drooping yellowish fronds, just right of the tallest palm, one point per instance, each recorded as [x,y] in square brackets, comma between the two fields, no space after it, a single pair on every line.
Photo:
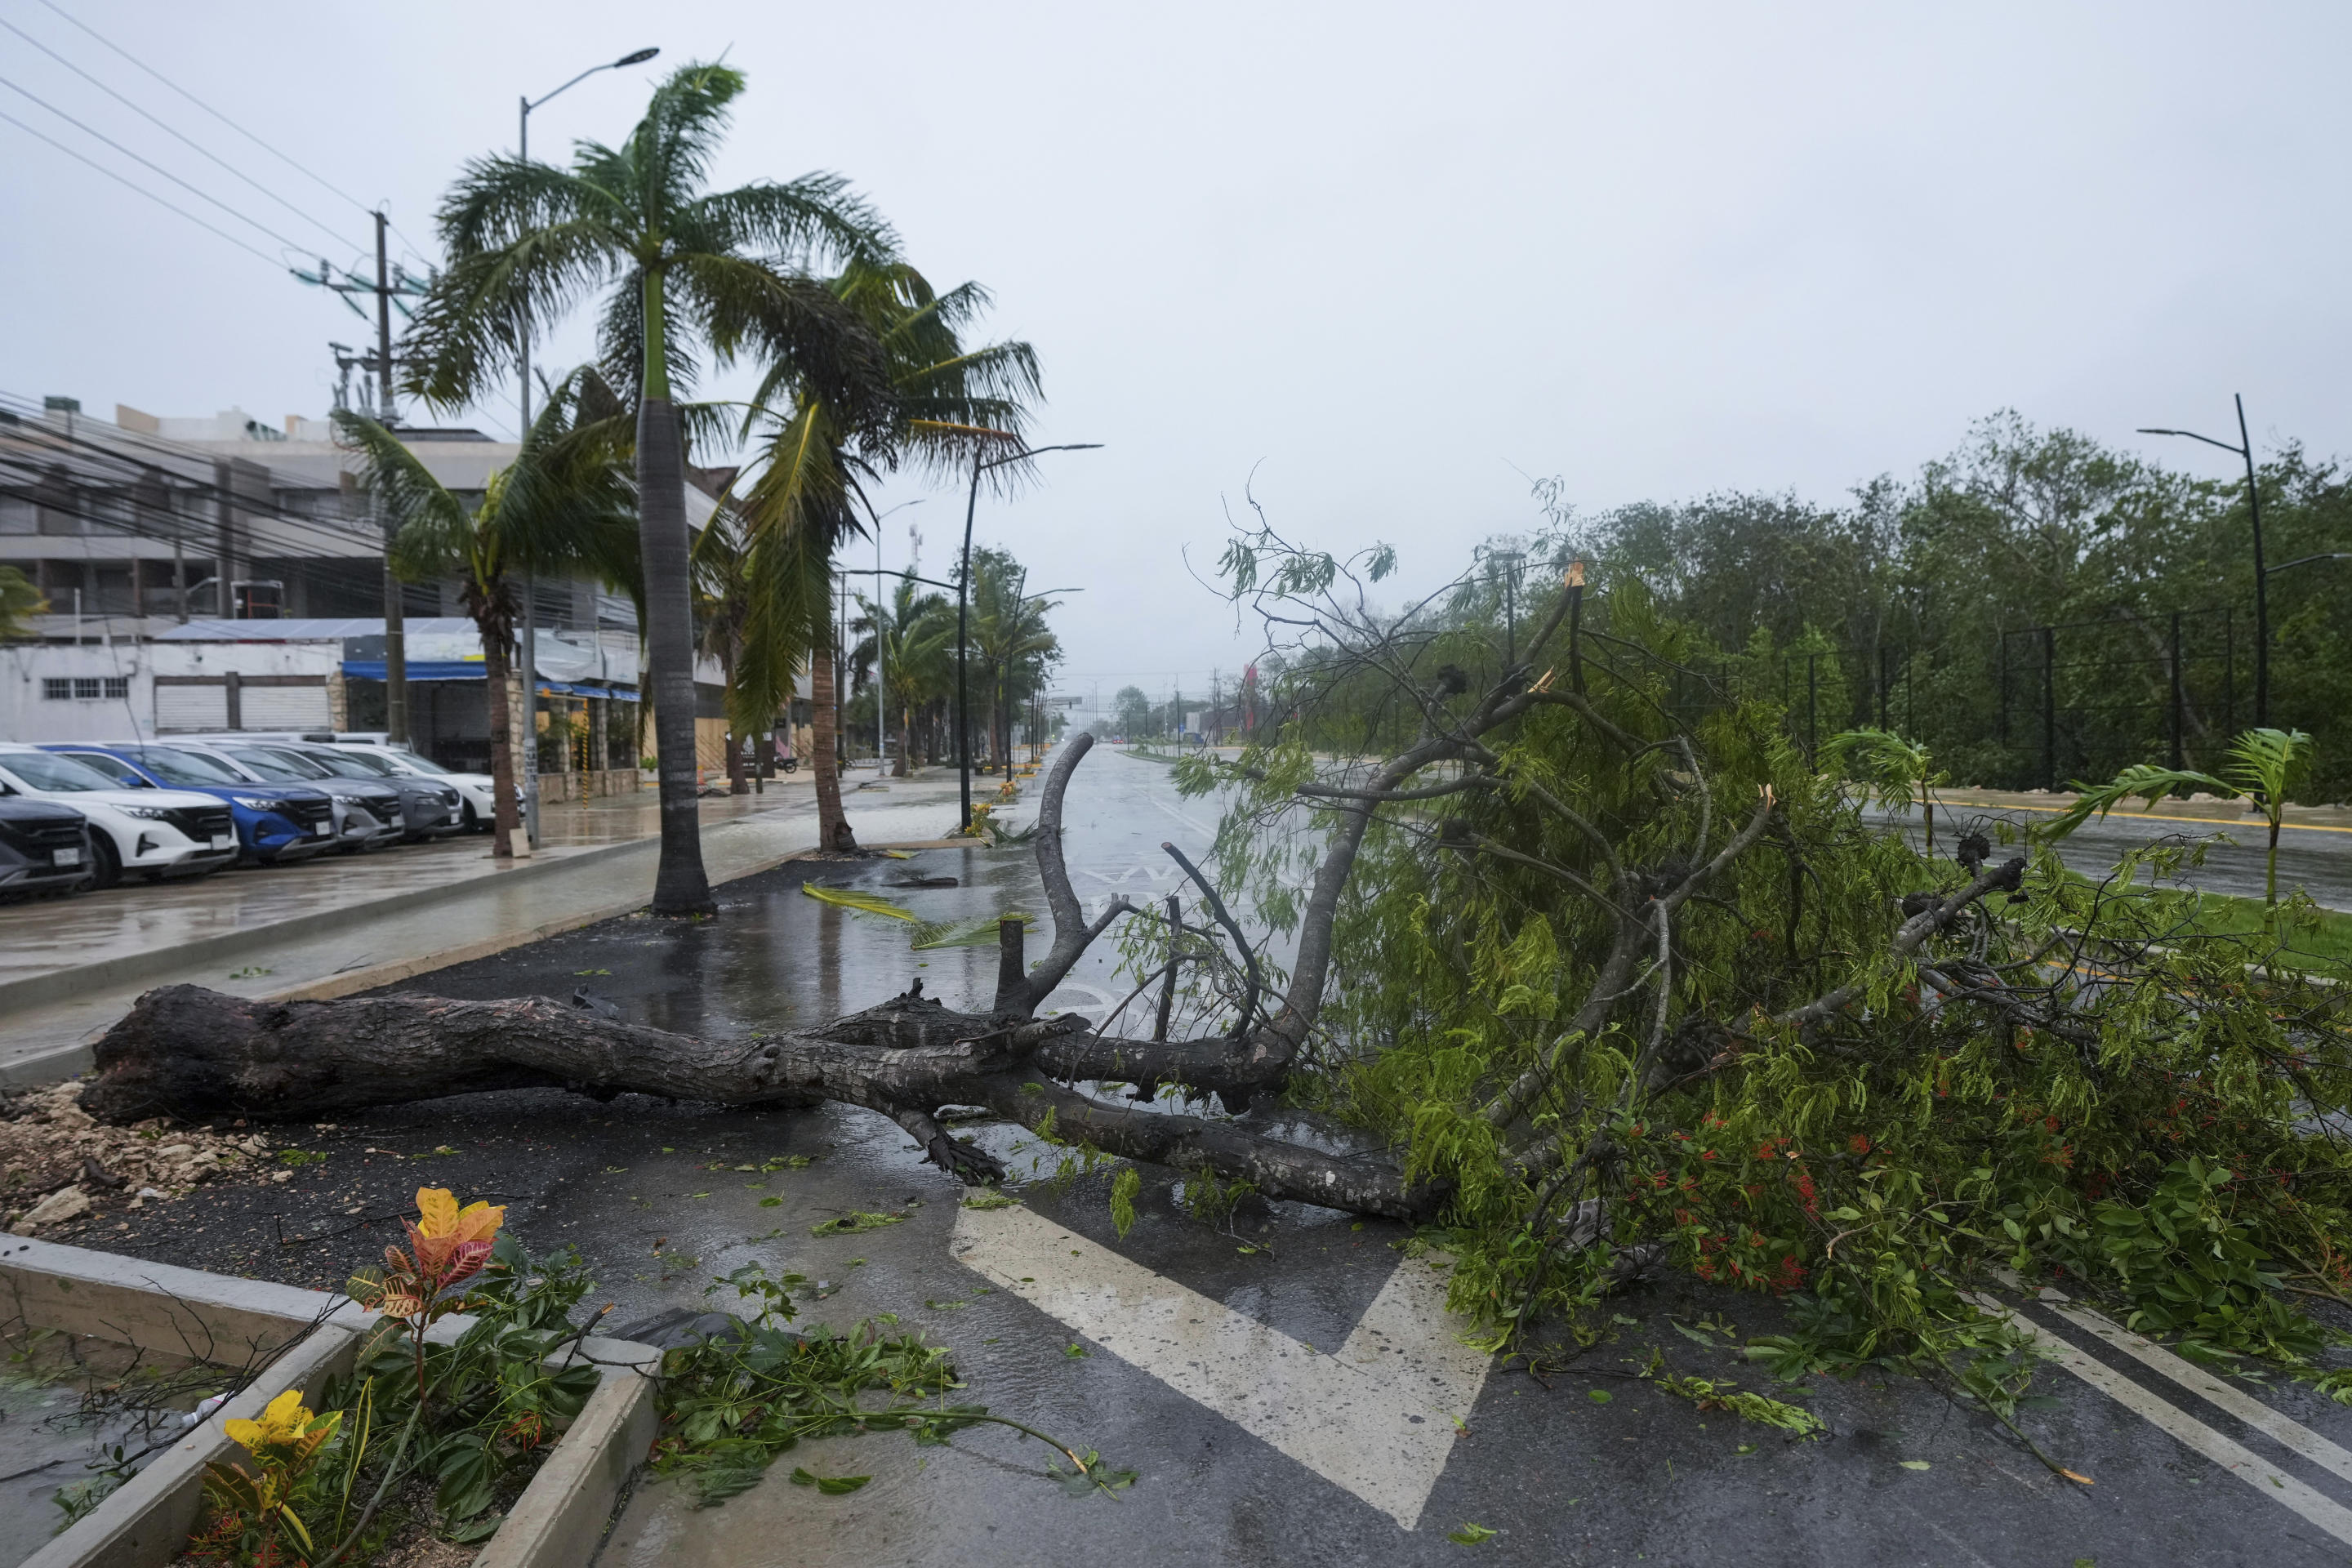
[947,403]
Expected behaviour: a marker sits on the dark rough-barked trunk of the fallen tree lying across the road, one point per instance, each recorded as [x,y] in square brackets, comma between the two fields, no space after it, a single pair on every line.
[199,1054]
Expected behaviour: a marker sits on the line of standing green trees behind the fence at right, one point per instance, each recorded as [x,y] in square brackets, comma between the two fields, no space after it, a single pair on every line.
[1918,605]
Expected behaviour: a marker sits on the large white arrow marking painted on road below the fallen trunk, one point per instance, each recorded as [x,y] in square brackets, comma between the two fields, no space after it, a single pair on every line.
[1375,1419]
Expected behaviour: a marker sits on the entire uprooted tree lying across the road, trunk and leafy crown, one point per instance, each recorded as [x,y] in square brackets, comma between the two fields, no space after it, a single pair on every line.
[1605,970]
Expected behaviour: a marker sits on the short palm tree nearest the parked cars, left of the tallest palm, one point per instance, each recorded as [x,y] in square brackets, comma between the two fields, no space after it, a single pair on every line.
[563,504]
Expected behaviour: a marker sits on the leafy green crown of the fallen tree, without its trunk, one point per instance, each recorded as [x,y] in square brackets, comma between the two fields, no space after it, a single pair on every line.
[1836,1071]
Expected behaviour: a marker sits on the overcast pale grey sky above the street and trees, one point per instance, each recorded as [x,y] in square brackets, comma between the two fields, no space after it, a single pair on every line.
[1387,255]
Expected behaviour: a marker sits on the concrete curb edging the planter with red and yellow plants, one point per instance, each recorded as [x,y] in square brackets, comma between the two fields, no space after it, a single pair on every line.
[554,1525]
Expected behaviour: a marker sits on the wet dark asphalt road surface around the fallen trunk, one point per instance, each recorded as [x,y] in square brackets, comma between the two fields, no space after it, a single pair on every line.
[660,1202]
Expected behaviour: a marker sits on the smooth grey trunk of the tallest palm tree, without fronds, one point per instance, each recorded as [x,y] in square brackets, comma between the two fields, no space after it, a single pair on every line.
[681,885]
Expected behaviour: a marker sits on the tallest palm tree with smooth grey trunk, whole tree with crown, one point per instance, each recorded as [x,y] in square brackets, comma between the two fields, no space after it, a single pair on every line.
[693,269]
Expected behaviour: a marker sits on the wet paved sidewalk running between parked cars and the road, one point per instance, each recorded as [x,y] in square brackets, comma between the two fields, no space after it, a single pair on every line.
[69,970]
